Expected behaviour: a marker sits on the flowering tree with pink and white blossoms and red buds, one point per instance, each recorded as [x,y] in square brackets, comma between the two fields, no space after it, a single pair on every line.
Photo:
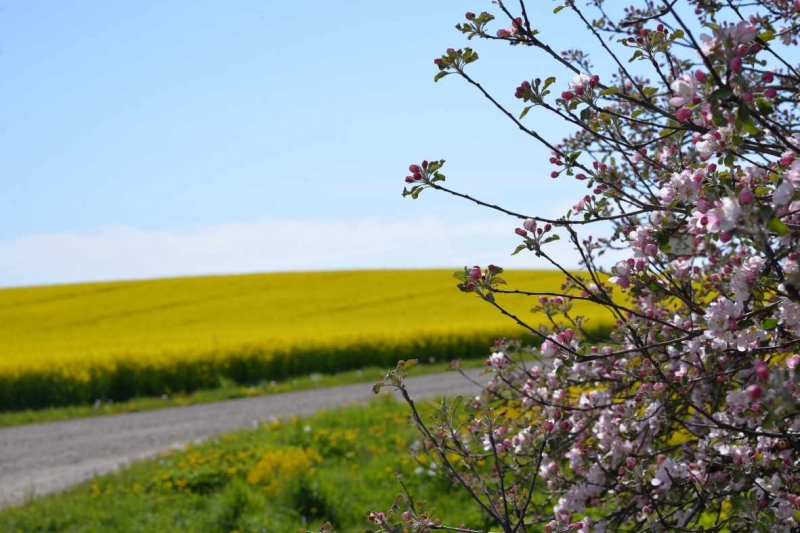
[687,417]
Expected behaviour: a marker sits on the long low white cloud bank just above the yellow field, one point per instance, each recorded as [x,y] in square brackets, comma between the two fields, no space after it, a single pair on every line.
[266,245]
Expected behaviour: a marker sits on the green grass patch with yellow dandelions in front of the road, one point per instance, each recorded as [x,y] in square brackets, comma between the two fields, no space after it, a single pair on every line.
[209,487]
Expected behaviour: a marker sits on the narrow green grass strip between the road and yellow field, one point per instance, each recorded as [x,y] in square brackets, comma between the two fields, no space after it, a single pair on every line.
[227,391]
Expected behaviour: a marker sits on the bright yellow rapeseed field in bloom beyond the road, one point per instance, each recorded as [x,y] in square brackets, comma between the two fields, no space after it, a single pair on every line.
[76,343]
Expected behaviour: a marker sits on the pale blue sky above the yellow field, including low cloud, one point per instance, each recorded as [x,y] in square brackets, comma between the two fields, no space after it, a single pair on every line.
[145,139]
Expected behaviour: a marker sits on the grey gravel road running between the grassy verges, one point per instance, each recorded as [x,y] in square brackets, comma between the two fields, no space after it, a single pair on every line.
[43,458]
